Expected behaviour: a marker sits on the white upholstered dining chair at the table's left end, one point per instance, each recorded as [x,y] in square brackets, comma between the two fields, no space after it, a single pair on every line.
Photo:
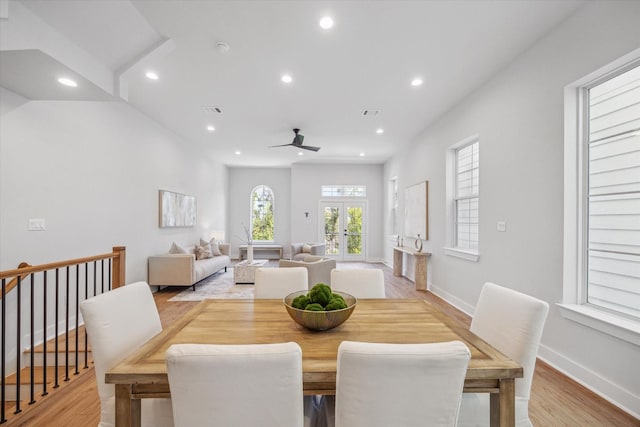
[117,323]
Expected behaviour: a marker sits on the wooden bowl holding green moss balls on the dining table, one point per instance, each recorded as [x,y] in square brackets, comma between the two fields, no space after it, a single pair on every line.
[320,320]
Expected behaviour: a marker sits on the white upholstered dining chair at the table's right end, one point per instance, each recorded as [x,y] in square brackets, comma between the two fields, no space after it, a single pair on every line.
[512,322]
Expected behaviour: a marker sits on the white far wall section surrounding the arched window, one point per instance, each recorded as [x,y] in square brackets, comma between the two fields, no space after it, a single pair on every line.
[242,181]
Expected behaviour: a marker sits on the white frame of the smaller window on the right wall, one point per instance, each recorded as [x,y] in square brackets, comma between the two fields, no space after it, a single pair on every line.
[452,247]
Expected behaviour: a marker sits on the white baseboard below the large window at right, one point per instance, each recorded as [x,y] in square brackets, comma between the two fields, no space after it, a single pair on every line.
[623,399]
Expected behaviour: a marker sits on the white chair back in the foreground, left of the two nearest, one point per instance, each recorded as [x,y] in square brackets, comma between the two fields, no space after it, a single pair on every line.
[236,385]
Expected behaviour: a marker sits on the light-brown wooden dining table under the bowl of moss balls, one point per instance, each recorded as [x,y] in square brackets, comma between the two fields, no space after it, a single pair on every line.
[143,374]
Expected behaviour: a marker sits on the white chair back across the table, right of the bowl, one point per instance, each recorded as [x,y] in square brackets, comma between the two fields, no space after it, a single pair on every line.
[359,282]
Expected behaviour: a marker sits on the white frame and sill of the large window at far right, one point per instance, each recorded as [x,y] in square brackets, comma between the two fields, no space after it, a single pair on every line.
[574,304]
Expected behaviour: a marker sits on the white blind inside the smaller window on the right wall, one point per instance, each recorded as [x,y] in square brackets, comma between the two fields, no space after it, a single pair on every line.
[467,196]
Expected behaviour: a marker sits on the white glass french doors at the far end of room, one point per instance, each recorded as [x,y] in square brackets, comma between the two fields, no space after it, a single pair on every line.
[343,228]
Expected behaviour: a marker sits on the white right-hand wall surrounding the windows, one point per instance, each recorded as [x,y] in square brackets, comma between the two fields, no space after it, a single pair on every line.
[518,115]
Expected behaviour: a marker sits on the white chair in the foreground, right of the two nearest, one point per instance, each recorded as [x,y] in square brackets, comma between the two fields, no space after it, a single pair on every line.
[396,385]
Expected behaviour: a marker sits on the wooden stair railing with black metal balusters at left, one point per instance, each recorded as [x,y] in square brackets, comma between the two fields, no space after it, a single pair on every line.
[67,294]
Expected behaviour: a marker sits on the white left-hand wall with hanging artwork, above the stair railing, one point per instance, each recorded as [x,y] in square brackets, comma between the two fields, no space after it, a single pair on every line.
[92,171]
